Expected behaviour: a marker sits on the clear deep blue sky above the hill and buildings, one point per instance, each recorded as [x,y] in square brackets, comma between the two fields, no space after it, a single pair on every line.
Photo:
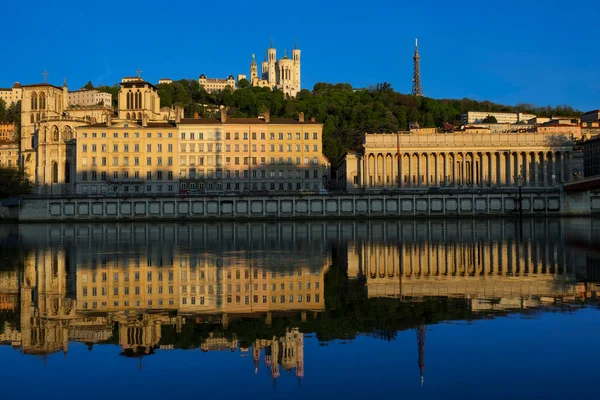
[527,51]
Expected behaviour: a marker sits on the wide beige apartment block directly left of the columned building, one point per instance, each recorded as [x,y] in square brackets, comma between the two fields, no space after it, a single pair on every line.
[234,154]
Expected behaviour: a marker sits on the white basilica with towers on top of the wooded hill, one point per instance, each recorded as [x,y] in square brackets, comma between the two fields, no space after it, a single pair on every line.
[282,74]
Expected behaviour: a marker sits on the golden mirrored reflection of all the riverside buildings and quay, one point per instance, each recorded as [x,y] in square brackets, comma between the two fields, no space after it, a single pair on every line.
[133,284]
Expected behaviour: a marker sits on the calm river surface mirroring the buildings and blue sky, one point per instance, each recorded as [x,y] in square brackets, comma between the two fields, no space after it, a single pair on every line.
[489,309]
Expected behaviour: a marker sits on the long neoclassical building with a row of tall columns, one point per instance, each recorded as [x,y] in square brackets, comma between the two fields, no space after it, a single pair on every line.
[462,159]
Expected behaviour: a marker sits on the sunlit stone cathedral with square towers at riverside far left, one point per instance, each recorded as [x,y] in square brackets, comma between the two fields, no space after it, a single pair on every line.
[49,127]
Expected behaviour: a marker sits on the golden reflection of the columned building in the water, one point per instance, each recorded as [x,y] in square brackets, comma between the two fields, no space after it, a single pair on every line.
[500,269]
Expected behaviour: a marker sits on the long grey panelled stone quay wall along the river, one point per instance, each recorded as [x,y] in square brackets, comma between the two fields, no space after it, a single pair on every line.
[300,207]
